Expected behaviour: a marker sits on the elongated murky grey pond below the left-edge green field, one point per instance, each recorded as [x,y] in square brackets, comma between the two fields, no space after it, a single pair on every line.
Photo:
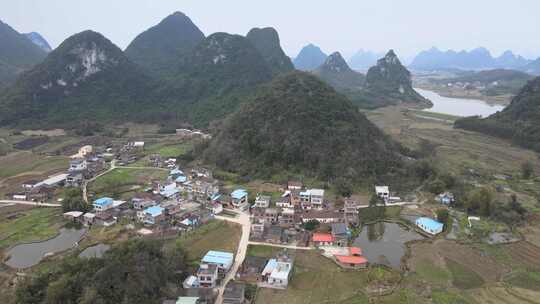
[30,254]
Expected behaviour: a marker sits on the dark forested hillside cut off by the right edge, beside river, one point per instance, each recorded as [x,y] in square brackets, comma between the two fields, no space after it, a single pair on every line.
[519,121]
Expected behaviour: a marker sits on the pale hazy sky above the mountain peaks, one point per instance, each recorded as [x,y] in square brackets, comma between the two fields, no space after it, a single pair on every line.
[408,26]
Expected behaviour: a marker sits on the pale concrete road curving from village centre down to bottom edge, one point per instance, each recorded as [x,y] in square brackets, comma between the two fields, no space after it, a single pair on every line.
[242,219]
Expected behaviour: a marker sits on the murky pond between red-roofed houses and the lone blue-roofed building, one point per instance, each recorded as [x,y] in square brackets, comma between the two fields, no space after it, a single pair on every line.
[384,243]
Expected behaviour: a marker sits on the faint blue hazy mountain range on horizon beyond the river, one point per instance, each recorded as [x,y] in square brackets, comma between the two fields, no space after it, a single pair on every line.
[477,59]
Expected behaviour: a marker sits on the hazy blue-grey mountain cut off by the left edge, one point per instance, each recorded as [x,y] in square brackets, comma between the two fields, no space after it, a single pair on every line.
[17,54]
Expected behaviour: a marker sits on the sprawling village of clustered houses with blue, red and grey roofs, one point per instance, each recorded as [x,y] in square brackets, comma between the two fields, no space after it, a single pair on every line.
[302,218]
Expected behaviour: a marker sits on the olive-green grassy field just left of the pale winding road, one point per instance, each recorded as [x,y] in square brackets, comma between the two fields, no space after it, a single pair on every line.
[216,235]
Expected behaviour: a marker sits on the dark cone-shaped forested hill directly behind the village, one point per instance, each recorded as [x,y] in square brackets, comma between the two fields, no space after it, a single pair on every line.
[297,123]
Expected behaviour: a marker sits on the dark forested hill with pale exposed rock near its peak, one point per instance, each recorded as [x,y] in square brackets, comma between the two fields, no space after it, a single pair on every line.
[85,78]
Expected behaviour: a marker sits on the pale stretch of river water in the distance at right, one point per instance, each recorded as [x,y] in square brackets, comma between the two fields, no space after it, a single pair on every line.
[459,106]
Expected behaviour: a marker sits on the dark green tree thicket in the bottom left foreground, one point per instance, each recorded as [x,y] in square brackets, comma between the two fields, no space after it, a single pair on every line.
[136,271]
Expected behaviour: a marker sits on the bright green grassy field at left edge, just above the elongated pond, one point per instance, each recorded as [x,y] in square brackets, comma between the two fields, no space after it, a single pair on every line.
[34,225]
